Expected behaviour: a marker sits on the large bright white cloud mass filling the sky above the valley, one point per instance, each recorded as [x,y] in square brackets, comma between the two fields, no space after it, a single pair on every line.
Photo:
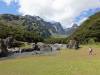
[63,11]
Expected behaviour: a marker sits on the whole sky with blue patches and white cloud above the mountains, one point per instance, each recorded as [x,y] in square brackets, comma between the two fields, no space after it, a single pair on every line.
[65,11]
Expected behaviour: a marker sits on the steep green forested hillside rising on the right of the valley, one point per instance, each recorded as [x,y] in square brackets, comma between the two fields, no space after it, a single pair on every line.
[90,29]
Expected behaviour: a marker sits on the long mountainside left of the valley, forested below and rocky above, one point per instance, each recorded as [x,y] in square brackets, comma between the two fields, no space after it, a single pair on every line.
[27,27]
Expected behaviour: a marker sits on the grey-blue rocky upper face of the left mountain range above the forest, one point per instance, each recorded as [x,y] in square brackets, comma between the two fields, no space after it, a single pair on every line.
[33,23]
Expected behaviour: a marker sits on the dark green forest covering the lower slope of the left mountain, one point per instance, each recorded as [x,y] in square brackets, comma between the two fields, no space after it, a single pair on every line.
[19,33]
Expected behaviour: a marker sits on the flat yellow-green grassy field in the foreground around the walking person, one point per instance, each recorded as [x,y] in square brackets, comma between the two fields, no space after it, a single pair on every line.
[66,62]
